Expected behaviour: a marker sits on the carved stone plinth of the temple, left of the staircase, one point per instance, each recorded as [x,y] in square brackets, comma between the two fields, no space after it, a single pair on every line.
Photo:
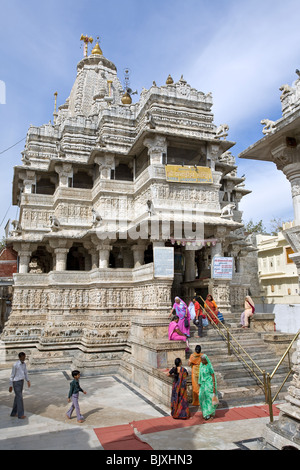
[89,312]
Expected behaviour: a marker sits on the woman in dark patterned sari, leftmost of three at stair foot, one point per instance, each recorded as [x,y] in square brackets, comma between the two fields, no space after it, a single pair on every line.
[179,402]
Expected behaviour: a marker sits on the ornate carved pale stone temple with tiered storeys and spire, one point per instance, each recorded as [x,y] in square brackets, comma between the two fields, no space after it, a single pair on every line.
[122,206]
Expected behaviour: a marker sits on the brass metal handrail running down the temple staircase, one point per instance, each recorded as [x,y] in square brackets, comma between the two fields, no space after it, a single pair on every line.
[266,382]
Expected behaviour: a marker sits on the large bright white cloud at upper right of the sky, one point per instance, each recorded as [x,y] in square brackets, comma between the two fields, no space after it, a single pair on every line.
[249,58]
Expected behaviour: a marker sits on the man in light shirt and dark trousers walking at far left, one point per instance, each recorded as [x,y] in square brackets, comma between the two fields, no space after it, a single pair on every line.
[18,375]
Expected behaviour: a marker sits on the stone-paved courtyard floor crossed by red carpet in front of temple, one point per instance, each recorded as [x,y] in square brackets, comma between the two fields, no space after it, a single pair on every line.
[130,418]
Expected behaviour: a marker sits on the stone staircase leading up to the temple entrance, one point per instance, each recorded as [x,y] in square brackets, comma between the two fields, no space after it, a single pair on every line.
[237,386]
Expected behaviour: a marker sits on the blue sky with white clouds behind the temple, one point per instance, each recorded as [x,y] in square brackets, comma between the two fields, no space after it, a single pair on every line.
[241,51]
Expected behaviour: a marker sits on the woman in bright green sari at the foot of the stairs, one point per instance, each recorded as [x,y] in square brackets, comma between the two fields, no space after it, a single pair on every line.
[208,388]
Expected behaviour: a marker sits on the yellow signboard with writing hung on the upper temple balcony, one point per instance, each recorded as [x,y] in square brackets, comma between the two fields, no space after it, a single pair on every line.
[188,174]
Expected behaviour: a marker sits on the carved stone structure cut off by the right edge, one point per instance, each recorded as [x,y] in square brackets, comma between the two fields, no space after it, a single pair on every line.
[282,146]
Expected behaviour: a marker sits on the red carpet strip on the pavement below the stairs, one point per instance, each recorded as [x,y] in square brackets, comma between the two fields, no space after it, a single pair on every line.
[123,437]
